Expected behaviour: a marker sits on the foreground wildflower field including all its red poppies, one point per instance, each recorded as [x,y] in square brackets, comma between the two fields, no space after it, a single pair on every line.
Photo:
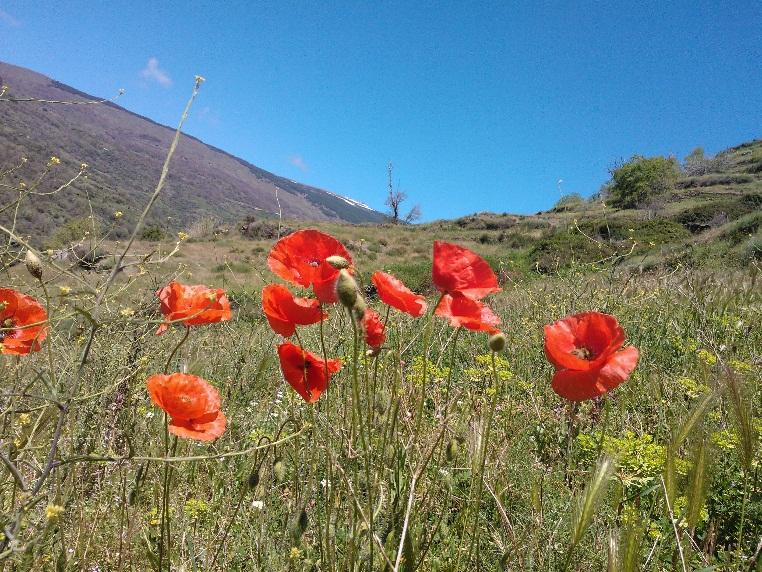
[309,411]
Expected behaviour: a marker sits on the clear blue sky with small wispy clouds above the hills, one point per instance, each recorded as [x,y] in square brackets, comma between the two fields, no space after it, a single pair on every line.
[480,106]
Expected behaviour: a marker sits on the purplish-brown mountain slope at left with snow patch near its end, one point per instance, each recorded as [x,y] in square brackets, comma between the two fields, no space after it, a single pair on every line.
[125,152]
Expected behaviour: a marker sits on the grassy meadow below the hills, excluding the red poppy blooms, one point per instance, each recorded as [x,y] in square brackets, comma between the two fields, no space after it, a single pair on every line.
[436,453]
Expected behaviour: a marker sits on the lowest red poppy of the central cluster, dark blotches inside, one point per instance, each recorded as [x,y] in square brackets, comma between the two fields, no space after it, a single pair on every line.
[306,372]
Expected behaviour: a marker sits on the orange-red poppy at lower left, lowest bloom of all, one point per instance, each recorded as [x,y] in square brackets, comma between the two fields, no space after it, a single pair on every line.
[192,403]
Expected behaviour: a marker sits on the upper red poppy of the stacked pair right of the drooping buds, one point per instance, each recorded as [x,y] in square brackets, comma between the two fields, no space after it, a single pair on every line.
[457,269]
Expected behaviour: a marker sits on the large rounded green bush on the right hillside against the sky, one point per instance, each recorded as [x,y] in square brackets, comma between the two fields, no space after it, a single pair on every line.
[641,179]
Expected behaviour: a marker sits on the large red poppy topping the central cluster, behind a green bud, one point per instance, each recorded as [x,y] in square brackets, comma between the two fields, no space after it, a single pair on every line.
[300,259]
